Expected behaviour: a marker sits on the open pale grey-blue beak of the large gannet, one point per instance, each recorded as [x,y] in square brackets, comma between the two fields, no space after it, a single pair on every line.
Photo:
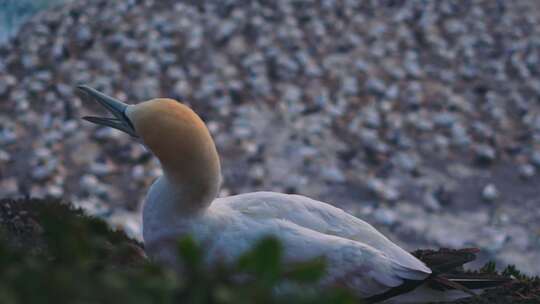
[117,108]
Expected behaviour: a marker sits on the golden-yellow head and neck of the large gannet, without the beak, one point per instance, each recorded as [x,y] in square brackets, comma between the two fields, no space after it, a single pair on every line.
[187,153]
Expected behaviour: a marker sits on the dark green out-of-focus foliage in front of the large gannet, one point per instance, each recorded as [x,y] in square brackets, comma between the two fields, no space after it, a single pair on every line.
[52,253]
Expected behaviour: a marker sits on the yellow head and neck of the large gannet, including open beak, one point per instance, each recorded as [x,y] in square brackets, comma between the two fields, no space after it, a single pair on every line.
[175,134]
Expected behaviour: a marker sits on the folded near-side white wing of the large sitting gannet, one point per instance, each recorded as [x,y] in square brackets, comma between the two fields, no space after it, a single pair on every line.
[349,263]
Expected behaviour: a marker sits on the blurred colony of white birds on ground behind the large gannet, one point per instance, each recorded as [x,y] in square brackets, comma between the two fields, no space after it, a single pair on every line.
[421,117]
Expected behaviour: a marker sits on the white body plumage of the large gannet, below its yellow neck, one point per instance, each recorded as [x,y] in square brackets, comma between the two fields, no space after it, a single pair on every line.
[357,255]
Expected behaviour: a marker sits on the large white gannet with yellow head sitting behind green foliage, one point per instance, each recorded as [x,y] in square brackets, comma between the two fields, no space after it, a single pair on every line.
[183,201]
